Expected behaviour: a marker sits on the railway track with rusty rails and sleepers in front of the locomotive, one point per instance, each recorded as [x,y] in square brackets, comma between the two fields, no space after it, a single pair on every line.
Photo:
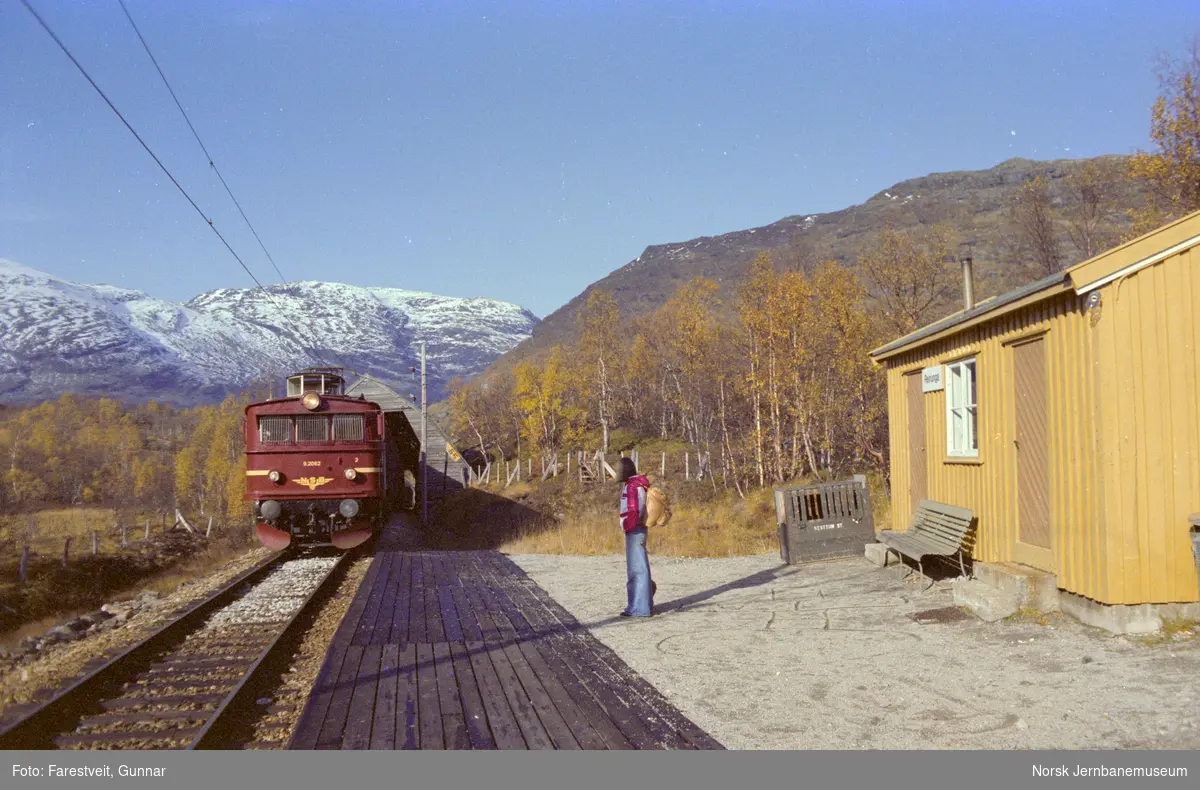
[191,685]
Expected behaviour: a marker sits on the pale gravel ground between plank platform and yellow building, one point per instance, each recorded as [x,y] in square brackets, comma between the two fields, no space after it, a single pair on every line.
[829,657]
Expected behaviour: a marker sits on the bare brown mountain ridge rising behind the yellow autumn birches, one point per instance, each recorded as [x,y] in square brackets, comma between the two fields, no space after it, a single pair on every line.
[973,202]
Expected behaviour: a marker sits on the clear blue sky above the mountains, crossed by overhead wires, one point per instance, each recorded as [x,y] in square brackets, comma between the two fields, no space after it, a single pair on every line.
[524,151]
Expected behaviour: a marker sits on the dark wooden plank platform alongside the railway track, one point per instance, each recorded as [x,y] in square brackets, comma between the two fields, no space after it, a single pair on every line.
[460,650]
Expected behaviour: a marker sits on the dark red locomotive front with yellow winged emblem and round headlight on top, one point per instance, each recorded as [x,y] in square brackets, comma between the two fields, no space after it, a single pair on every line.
[315,464]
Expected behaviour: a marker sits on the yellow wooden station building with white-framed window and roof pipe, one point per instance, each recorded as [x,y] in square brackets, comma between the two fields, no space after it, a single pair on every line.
[1066,415]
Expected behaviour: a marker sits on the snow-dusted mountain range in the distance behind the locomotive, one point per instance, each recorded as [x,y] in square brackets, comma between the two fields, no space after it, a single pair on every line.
[59,337]
